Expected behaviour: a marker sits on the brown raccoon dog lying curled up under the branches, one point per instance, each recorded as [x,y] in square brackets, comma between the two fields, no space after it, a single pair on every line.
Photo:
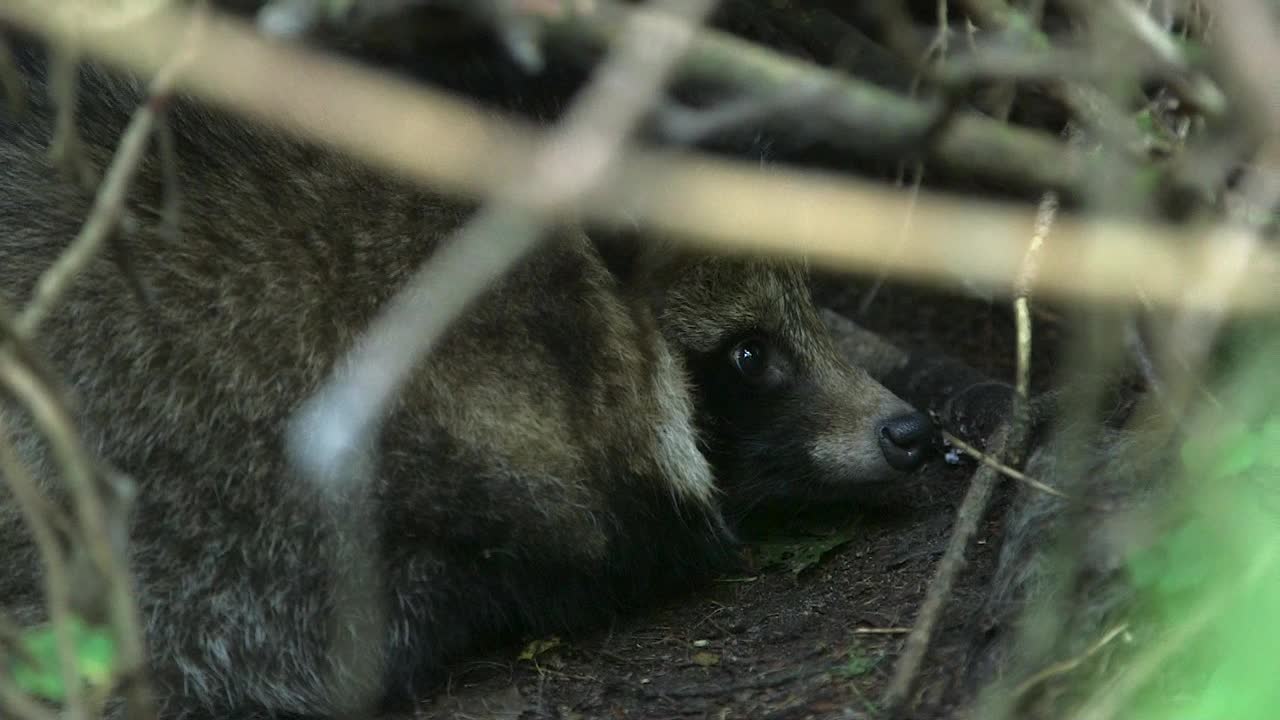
[584,438]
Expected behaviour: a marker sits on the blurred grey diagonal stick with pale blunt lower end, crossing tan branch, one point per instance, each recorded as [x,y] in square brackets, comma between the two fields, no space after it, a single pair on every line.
[335,427]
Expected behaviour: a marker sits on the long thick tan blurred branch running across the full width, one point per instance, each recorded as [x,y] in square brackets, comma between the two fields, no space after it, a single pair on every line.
[844,222]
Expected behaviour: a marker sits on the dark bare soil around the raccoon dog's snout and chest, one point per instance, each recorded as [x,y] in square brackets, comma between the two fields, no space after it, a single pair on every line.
[816,628]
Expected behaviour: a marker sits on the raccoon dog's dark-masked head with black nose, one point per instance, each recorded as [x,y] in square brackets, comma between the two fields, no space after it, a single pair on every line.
[784,418]
